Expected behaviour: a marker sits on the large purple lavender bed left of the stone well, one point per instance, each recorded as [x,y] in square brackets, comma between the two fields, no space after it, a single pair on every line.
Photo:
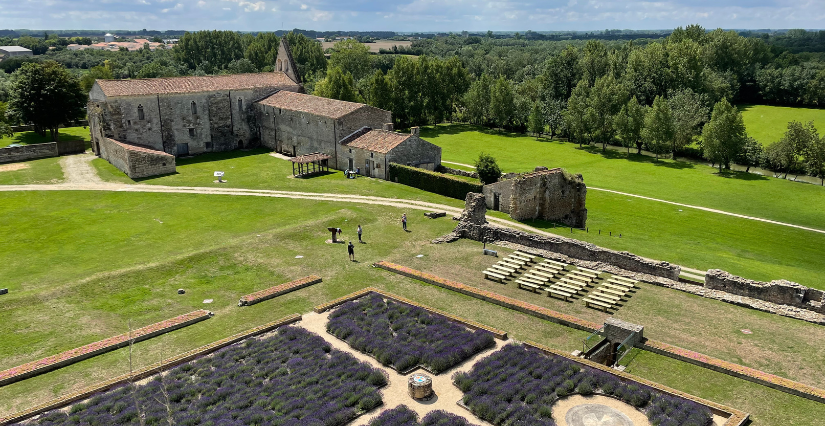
[291,378]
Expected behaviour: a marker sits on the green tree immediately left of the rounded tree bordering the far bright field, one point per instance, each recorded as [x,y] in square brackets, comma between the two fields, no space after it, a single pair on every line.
[689,112]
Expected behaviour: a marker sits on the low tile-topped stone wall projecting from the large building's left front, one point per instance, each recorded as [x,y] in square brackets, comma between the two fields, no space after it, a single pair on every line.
[136,161]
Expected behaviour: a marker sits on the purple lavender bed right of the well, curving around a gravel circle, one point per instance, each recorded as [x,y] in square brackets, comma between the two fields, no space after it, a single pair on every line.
[517,384]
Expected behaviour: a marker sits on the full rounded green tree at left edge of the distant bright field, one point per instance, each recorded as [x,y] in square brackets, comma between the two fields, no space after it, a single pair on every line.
[724,136]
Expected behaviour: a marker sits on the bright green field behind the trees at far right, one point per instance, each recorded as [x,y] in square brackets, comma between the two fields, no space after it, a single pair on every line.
[768,124]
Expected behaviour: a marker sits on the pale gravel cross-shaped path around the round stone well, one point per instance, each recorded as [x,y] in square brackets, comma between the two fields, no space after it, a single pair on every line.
[395,393]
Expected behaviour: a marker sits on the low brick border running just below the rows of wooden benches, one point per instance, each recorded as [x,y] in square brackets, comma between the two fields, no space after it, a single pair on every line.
[495,298]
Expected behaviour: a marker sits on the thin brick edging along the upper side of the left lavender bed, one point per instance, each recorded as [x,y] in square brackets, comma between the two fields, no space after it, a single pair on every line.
[147,371]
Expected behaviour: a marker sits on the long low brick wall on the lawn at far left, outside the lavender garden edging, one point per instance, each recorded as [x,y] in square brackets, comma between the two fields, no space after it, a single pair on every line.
[54,362]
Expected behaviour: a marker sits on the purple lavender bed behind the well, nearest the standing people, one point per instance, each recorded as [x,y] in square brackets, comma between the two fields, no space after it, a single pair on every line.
[404,336]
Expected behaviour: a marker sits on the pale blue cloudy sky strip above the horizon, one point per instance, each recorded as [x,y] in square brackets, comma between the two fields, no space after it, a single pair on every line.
[409,15]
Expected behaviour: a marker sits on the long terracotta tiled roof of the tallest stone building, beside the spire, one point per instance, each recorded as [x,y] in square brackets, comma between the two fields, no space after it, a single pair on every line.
[153,86]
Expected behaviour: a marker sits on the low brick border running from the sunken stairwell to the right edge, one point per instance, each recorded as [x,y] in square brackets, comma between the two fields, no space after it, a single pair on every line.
[740,371]
